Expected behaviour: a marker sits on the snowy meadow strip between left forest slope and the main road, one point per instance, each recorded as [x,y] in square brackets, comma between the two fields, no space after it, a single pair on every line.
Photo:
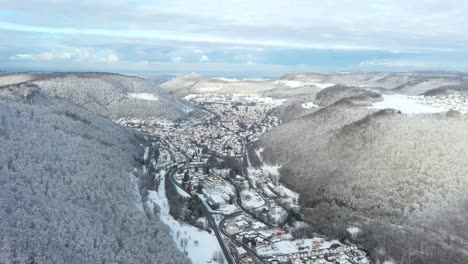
[199,245]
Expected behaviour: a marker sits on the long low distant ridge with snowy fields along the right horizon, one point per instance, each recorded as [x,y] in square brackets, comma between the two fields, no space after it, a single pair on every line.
[300,84]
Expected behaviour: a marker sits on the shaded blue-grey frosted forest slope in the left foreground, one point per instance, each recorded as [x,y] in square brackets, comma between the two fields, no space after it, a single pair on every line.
[68,188]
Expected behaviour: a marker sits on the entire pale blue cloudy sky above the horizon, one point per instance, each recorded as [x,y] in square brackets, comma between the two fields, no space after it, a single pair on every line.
[233,37]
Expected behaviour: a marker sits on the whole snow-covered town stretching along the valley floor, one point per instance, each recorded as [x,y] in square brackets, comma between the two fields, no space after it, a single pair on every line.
[255,217]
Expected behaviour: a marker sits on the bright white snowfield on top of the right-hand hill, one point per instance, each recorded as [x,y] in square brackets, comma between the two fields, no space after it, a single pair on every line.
[406,104]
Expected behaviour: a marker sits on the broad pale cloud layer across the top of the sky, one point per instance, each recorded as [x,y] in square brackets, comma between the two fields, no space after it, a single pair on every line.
[363,25]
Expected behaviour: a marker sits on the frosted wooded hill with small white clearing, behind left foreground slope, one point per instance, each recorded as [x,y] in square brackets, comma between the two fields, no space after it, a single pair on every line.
[111,95]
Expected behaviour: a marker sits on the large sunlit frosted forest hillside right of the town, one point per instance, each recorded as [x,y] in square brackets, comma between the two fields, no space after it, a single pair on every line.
[401,178]
